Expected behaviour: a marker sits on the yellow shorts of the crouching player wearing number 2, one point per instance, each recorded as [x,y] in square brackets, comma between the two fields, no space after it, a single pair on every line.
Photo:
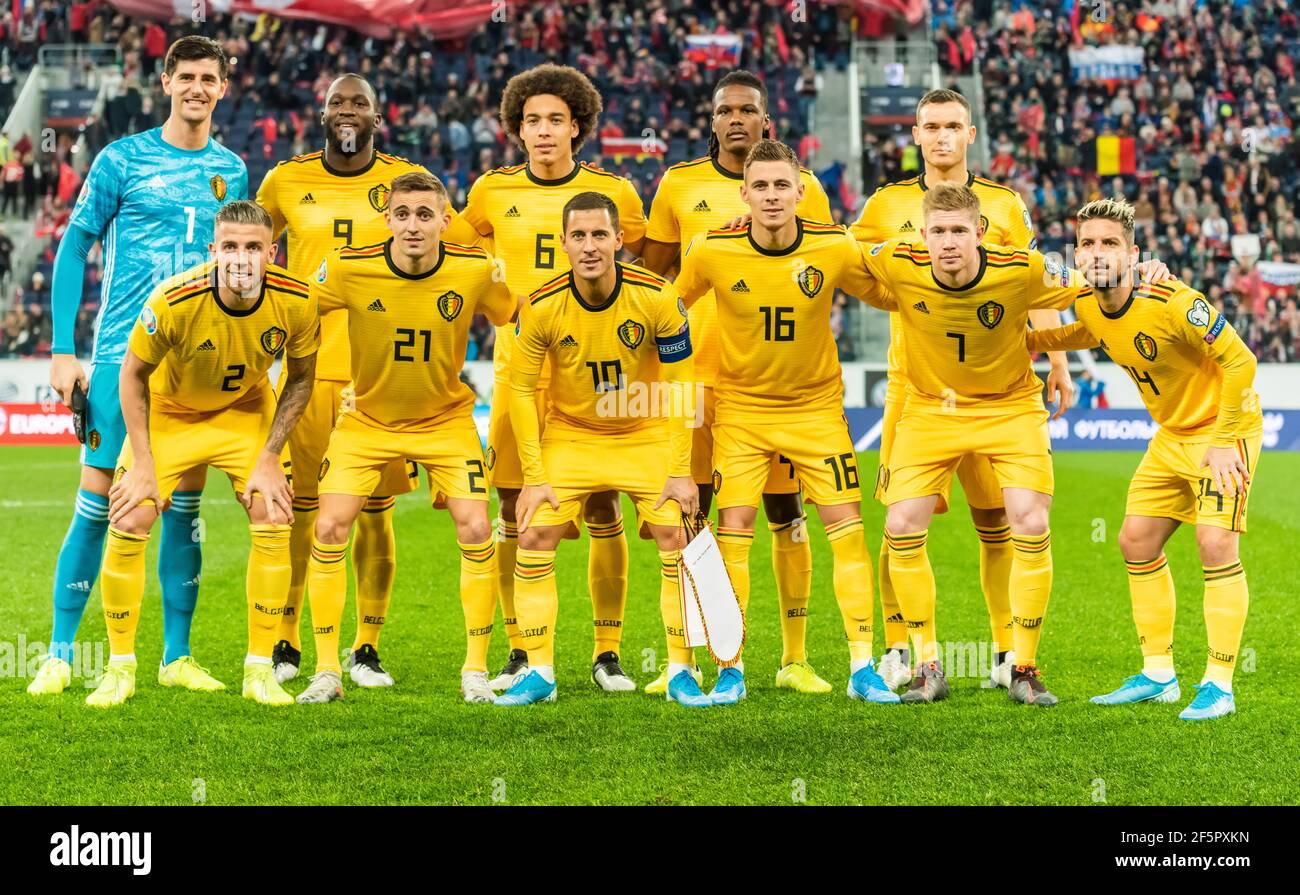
[228,440]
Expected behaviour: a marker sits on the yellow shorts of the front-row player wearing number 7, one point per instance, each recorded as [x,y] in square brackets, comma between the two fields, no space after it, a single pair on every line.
[931,444]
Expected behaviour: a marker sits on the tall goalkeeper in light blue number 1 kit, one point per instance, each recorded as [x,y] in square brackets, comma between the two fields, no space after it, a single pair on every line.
[151,198]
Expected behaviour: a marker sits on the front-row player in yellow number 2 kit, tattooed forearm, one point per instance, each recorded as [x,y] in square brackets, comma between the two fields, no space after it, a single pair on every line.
[194,395]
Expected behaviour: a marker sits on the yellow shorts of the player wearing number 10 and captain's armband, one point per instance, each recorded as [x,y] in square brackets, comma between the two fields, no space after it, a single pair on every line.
[635,465]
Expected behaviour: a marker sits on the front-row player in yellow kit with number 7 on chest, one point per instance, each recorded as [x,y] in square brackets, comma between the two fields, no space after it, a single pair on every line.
[969,392]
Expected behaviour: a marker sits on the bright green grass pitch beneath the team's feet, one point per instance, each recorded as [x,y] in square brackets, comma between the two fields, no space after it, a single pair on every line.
[418,743]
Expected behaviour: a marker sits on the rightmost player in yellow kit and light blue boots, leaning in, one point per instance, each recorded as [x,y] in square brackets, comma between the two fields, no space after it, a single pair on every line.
[1198,381]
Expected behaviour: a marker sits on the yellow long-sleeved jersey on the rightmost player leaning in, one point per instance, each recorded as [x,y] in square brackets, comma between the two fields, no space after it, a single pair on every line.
[1182,354]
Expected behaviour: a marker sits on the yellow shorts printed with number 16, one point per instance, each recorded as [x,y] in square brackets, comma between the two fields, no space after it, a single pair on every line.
[817,451]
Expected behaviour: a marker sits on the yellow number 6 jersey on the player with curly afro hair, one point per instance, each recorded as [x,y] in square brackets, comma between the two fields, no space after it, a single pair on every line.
[523,215]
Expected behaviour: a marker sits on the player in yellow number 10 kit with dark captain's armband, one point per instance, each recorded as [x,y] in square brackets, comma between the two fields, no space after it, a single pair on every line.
[619,349]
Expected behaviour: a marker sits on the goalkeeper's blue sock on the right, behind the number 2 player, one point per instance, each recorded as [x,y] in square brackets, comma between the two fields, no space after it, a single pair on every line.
[180,564]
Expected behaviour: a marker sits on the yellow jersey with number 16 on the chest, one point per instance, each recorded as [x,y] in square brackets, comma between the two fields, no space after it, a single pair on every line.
[774,314]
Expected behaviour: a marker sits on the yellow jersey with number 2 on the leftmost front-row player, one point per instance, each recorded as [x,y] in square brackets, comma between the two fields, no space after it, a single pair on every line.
[211,357]
